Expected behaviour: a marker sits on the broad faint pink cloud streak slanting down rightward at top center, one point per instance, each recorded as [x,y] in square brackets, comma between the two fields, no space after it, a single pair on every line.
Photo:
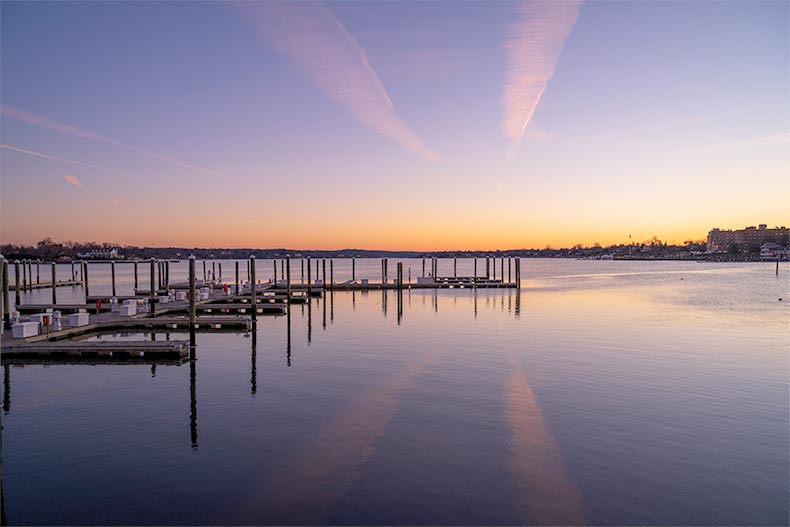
[311,37]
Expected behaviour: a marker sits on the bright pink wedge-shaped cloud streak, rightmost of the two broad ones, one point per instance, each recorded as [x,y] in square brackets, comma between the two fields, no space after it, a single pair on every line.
[533,50]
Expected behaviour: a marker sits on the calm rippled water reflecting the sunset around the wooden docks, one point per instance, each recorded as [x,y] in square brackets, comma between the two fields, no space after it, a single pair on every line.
[640,393]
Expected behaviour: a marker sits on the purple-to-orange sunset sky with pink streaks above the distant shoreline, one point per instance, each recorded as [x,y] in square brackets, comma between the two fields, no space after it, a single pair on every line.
[392,125]
